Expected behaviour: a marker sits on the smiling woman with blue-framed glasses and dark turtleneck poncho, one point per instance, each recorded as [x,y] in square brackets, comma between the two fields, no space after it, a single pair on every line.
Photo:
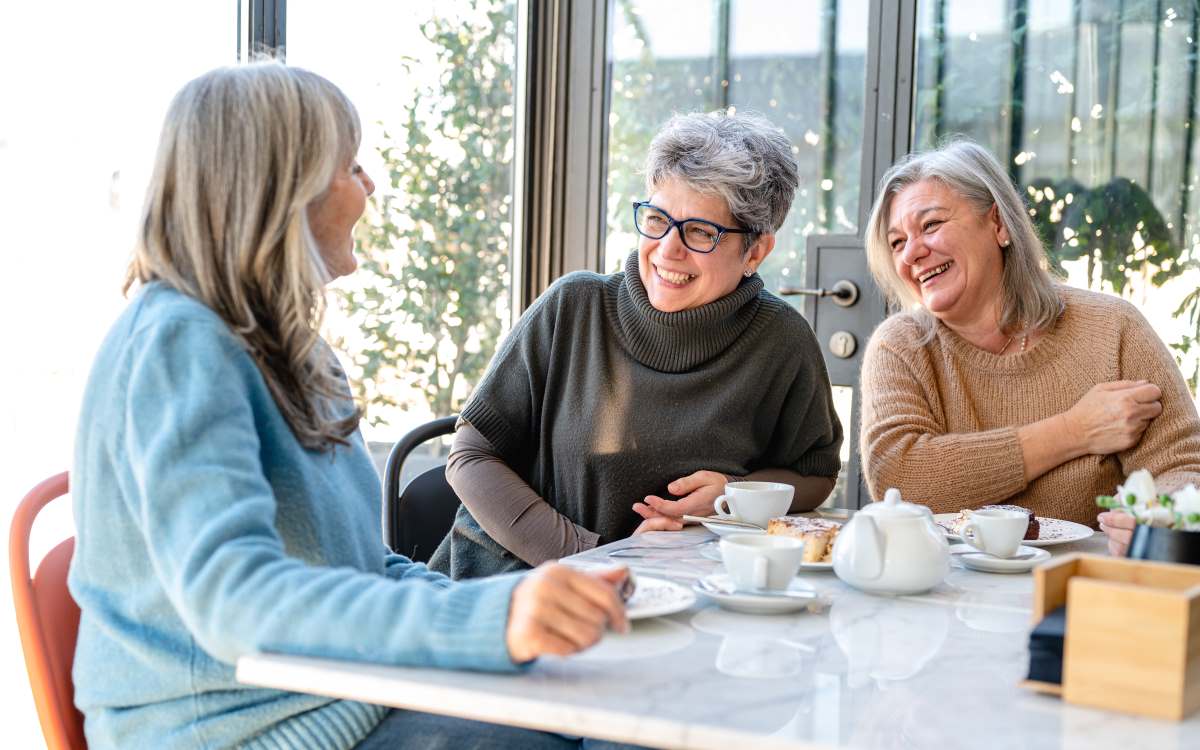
[620,404]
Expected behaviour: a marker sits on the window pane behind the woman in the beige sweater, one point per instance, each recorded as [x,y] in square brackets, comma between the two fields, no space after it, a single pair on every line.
[1093,106]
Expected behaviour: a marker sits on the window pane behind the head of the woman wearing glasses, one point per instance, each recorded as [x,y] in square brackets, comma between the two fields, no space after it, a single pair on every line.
[800,63]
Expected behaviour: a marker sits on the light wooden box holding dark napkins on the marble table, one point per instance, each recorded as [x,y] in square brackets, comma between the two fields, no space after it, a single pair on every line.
[1133,633]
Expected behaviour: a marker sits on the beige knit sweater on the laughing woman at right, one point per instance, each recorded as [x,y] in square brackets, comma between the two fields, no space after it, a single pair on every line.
[940,421]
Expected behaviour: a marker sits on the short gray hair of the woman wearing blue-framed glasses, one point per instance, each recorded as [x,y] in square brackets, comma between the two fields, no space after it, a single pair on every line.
[741,158]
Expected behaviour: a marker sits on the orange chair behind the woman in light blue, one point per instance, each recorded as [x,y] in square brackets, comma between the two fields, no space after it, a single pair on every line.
[49,621]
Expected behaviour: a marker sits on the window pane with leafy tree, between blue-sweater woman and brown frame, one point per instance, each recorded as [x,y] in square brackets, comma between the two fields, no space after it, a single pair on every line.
[434,83]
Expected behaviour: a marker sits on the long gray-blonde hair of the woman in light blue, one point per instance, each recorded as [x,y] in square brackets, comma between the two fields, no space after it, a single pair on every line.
[244,152]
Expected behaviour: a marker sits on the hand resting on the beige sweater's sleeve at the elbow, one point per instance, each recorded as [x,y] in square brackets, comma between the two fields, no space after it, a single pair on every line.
[1112,417]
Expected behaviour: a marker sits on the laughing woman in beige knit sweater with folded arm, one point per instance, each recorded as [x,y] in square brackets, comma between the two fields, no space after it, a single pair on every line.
[997,383]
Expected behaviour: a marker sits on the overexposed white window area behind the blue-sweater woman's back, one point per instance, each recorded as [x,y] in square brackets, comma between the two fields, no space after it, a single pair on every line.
[86,87]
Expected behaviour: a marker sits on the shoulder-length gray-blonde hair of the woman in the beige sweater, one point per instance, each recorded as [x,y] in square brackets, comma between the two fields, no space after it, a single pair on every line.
[1031,299]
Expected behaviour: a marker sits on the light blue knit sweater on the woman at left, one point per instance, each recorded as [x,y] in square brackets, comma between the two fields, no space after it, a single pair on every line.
[207,532]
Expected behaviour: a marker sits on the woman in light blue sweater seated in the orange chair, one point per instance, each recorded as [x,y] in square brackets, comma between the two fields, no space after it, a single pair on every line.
[225,501]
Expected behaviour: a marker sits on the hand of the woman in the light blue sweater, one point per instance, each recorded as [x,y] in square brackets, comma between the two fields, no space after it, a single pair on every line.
[557,610]
